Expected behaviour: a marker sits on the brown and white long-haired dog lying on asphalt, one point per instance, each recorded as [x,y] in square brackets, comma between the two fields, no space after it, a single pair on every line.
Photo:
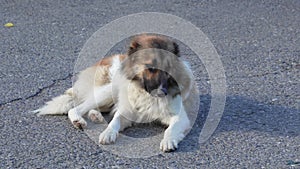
[148,83]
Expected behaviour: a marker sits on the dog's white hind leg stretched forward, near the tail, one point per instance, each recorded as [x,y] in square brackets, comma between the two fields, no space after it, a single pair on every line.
[101,96]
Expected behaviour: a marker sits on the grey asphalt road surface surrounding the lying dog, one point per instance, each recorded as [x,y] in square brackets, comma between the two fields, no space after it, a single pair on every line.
[259,45]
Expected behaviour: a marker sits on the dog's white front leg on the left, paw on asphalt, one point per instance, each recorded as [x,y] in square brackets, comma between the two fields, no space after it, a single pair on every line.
[118,123]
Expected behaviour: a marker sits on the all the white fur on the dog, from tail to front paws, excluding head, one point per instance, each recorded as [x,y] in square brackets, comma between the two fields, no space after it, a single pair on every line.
[134,104]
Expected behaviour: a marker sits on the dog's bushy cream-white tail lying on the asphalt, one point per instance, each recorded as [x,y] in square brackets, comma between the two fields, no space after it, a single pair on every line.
[57,106]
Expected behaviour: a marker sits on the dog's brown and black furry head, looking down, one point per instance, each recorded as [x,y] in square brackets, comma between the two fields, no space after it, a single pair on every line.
[151,62]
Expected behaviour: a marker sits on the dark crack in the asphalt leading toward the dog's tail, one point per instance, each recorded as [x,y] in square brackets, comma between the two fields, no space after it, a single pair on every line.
[40,90]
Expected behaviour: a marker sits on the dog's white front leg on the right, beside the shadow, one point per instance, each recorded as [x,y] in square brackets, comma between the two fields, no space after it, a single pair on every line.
[178,124]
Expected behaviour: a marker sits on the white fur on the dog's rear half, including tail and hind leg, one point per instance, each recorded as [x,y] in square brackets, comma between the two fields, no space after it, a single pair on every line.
[85,95]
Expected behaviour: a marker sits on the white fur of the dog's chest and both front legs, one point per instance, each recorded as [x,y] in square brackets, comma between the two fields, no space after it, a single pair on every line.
[137,105]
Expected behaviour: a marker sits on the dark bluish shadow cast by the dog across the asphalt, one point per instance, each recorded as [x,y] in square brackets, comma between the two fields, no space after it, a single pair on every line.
[244,115]
